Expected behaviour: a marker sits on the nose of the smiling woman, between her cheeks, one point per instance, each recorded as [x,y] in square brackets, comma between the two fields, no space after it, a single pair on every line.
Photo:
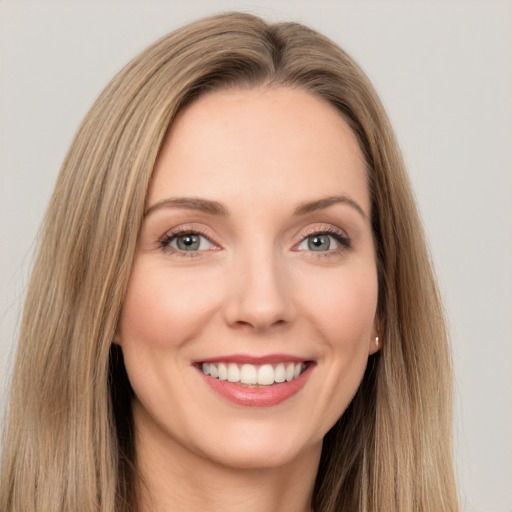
[259,294]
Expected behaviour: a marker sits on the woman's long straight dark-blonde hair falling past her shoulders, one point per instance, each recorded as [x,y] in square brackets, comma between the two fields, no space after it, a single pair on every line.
[68,441]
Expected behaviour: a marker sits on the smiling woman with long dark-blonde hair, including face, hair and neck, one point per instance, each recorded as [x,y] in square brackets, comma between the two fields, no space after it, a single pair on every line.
[233,305]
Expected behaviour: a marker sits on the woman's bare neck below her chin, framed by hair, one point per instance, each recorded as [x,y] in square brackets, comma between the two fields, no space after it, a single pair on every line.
[173,478]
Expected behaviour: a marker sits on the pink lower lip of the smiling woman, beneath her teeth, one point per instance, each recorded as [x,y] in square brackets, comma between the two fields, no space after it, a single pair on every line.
[258,396]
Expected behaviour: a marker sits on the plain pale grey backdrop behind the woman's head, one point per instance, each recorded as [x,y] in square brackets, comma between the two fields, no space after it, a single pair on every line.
[444,72]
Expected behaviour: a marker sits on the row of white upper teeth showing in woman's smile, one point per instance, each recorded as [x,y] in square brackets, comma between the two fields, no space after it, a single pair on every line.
[264,375]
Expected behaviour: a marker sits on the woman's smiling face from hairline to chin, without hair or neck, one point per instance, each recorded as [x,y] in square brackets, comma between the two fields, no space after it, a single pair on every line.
[250,312]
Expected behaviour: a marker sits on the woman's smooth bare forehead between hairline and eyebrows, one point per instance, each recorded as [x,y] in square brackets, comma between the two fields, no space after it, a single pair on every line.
[260,143]
